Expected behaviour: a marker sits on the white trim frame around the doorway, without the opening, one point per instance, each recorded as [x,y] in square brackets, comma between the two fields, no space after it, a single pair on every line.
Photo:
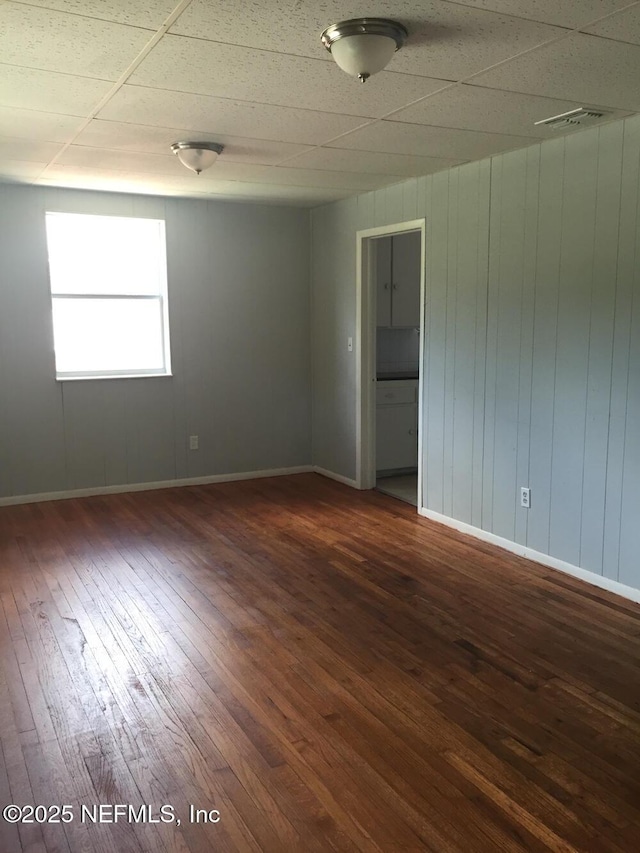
[366,349]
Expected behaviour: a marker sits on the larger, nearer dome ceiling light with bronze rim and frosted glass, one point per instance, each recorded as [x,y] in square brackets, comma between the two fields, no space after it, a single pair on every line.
[364,46]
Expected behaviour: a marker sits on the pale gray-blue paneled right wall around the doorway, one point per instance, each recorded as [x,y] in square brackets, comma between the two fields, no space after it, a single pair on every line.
[532,357]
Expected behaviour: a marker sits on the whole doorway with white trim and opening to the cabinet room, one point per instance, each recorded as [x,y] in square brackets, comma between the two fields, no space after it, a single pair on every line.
[390,319]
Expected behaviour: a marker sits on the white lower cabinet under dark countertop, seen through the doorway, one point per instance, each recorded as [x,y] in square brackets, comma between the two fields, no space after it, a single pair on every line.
[396,424]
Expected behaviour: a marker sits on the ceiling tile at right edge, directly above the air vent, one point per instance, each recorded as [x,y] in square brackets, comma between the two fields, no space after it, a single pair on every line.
[580,67]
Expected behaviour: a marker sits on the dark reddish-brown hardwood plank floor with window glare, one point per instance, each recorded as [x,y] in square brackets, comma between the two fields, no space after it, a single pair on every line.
[324,668]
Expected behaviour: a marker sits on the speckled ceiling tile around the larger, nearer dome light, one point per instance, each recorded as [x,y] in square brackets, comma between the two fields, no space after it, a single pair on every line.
[460,39]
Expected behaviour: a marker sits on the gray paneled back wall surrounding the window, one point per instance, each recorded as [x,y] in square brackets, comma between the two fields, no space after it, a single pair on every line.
[239,318]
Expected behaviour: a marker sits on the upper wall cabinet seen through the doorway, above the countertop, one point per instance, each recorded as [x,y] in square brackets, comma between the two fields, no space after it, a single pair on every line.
[398,280]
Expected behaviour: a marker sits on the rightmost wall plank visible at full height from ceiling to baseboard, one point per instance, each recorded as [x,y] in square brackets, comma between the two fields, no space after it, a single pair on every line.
[601,323]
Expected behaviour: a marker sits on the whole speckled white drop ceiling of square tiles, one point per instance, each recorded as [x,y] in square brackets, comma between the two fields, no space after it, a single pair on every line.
[93,92]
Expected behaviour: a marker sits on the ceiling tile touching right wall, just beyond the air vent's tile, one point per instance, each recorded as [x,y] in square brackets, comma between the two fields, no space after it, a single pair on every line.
[424,141]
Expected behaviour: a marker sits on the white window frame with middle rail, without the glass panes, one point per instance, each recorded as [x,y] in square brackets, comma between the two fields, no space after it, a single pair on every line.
[162,297]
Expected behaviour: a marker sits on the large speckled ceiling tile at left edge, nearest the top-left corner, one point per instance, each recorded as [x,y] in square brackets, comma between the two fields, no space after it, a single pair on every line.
[54,41]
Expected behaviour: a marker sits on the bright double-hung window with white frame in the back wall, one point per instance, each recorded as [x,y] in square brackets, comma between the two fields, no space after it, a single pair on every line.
[108,279]
